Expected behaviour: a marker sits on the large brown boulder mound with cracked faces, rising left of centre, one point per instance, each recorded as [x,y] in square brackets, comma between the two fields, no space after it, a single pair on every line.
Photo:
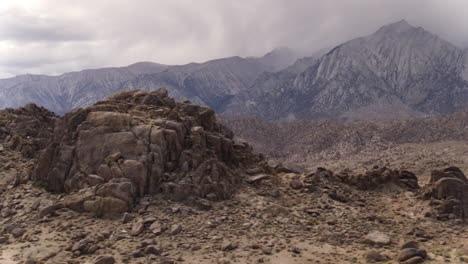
[160,146]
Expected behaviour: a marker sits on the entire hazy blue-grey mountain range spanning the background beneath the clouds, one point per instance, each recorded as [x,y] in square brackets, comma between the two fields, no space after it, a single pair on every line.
[399,71]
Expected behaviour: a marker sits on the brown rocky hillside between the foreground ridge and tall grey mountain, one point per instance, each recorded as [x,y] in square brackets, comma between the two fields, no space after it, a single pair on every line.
[420,143]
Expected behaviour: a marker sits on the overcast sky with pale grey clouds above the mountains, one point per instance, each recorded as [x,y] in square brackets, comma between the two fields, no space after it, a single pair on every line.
[56,36]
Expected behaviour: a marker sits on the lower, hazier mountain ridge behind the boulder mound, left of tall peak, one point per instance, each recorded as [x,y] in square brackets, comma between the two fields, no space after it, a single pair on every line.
[210,83]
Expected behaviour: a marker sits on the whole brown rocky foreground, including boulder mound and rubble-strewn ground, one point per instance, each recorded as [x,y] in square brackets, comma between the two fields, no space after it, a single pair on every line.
[142,178]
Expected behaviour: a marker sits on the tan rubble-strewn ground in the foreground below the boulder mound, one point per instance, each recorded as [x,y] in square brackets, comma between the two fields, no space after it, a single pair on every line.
[319,217]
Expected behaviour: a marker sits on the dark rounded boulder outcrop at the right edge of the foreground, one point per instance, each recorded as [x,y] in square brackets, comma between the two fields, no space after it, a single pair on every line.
[448,191]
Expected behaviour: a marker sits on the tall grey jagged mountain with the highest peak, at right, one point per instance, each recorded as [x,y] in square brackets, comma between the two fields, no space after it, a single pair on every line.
[399,71]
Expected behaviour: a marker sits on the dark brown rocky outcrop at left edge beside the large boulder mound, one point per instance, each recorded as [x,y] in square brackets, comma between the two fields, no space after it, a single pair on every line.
[27,129]
